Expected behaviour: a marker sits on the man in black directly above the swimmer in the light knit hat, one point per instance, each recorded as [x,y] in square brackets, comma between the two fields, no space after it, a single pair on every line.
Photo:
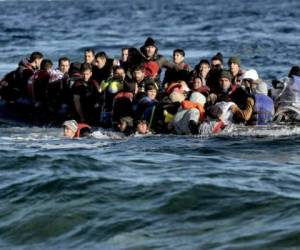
[86,96]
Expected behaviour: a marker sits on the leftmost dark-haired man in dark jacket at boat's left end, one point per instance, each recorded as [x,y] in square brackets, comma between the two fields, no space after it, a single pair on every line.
[14,84]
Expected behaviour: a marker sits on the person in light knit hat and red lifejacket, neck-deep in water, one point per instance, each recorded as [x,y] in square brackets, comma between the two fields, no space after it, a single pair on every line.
[72,129]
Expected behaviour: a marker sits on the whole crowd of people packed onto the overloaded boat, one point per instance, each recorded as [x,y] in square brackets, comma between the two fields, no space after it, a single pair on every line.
[129,94]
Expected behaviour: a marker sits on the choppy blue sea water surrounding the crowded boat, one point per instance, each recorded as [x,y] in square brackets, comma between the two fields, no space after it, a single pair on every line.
[237,190]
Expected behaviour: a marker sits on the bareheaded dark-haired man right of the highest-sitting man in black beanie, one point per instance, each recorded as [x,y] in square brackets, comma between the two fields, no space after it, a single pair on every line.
[181,73]
